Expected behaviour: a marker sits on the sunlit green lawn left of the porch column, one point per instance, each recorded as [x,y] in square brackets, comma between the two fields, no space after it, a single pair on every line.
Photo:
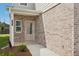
[4,40]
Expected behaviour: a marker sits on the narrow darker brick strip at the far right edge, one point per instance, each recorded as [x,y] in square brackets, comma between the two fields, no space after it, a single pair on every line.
[76,29]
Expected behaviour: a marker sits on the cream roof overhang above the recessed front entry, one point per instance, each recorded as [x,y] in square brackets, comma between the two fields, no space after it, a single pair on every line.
[22,11]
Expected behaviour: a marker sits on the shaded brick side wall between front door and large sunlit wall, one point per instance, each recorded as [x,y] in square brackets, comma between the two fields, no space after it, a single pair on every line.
[40,35]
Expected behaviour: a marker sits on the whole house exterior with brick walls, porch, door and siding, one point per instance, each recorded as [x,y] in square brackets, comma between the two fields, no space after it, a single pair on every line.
[53,25]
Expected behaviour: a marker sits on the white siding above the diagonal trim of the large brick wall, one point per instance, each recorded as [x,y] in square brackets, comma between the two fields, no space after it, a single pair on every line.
[44,6]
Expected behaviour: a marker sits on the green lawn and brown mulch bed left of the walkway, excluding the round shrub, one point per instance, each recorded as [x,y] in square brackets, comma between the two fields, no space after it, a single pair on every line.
[12,51]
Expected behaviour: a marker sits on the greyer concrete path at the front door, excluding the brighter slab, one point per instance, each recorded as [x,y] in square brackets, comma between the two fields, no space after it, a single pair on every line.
[34,48]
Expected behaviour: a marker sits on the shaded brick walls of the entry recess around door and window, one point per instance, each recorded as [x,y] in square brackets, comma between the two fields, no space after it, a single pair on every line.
[39,30]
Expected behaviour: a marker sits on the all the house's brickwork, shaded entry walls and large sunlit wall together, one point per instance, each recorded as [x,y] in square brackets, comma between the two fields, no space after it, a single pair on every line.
[57,29]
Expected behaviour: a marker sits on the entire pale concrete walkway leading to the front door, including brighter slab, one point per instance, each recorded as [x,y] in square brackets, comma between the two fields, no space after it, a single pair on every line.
[39,50]
